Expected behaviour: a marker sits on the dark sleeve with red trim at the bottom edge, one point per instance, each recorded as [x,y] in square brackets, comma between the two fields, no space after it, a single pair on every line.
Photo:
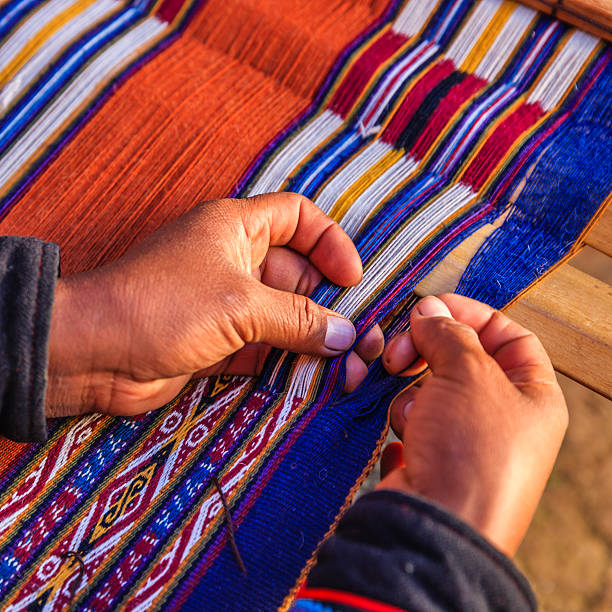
[401,552]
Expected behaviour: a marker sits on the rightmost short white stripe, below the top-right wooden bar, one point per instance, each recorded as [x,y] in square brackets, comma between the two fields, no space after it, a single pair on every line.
[565,67]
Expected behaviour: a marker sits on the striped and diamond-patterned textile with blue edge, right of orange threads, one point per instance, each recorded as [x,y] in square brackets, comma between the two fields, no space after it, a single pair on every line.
[425,126]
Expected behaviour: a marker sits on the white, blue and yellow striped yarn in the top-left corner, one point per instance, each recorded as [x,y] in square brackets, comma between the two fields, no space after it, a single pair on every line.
[59,60]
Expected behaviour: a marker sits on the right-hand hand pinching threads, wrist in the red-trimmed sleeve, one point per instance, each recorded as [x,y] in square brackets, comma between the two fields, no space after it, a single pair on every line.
[481,433]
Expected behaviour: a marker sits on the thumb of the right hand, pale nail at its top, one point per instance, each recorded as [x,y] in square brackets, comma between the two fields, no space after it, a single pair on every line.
[450,348]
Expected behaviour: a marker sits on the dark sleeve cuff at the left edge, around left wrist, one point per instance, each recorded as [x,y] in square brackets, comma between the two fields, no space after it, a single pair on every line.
[28,272]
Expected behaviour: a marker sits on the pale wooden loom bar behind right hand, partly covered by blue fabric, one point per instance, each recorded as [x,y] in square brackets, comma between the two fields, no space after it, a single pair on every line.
[568,310]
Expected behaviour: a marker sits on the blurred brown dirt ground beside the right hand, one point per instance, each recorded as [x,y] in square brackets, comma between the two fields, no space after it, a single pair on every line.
[567,553]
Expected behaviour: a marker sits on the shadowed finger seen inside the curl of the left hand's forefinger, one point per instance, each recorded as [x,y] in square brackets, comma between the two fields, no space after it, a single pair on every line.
[287,270]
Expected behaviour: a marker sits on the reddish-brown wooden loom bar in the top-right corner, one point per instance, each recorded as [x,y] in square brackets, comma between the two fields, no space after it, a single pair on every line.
[594,16]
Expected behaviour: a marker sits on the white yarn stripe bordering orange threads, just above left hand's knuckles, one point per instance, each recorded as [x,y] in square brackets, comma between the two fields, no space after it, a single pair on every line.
[298,148]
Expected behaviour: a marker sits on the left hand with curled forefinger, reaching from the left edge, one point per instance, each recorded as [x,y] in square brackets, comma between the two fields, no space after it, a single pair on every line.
[207,294]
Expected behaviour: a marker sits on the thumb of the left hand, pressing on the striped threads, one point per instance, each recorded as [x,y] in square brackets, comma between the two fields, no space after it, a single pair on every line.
[296,323]
